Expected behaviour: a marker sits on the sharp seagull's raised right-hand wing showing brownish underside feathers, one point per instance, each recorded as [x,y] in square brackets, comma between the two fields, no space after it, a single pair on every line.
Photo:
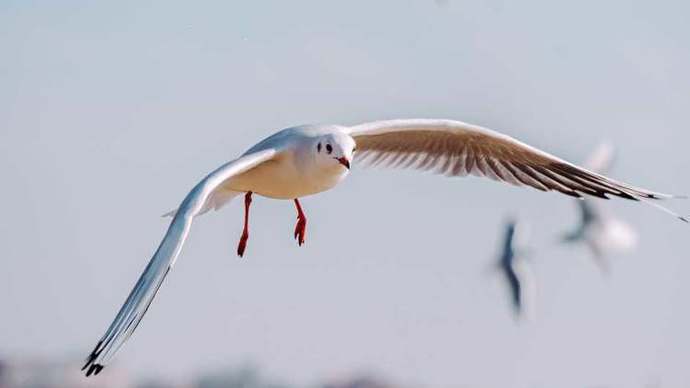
[457,149]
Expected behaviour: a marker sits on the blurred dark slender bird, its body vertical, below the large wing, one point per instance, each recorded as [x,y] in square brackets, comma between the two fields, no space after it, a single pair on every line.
[512,262]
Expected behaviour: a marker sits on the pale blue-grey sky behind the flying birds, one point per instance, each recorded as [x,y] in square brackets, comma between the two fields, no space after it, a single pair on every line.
[111,112]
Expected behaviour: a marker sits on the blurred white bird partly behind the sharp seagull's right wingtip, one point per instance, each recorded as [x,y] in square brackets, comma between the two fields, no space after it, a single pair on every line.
[601,232]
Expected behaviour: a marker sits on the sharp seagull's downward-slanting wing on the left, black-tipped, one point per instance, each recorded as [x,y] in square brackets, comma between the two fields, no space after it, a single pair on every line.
[140,298]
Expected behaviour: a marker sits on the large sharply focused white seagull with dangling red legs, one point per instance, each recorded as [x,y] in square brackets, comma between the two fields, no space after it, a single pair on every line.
[309,159]
